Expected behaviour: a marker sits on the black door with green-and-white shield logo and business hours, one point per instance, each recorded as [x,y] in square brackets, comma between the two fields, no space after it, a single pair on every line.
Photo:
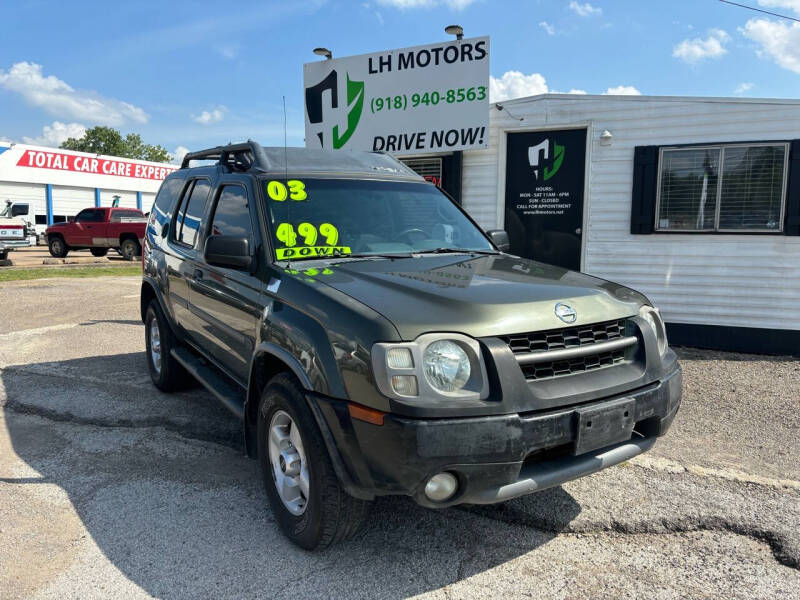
[545,173]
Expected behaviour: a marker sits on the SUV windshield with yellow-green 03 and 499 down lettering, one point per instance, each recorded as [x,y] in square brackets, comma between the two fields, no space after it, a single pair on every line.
[310,218]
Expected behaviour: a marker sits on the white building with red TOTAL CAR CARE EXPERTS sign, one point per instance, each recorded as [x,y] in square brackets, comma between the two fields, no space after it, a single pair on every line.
[59,183]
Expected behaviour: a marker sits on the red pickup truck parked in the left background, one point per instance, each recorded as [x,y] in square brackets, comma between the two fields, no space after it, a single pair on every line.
[99,229]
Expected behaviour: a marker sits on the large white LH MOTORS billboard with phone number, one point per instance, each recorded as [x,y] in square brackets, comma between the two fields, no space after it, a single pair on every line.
[409,101]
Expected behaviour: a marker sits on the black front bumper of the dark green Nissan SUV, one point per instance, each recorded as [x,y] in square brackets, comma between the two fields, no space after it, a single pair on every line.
[495,458]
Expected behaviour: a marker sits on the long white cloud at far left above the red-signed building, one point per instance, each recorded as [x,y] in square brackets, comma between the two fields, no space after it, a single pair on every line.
[60,100]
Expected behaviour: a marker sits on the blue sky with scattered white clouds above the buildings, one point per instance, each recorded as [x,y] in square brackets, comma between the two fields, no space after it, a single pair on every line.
[190,74]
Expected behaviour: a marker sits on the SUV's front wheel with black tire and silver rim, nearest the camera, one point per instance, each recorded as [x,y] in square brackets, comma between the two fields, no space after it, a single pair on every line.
[328,514]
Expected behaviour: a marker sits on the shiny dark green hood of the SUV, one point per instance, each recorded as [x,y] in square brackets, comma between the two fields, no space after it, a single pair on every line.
[478,296]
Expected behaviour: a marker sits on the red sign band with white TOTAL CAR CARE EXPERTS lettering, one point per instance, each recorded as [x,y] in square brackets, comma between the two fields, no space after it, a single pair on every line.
[42,159]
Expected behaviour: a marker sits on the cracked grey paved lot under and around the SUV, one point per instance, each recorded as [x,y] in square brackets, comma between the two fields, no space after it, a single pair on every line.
[110,489]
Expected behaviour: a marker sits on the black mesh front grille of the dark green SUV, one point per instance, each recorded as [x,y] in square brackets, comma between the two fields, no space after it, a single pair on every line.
[538,342]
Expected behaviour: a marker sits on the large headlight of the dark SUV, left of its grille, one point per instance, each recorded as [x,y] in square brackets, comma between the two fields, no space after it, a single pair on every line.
[435,366]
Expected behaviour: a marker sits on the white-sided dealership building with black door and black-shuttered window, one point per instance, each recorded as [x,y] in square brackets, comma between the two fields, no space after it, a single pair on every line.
[693,201]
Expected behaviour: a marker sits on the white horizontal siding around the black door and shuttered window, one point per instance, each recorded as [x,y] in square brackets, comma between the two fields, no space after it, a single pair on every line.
[731,280]
